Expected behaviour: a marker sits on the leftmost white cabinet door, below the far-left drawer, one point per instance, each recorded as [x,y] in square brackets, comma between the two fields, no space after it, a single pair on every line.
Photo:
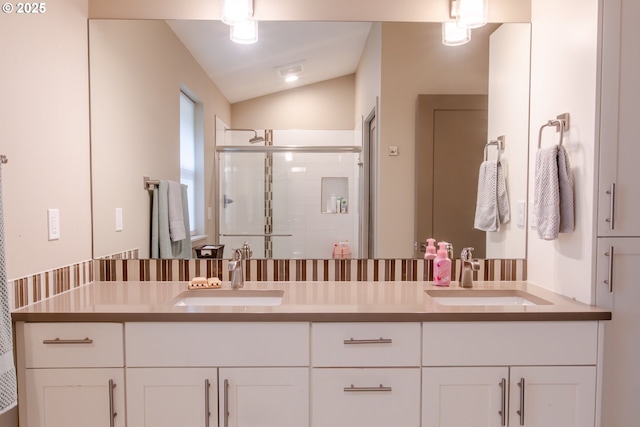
[75,397]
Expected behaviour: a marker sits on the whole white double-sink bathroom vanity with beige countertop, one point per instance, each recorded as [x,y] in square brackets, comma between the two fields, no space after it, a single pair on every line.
[326,354]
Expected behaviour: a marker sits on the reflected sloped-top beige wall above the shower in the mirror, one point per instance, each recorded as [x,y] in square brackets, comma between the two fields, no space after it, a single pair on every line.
[325,105]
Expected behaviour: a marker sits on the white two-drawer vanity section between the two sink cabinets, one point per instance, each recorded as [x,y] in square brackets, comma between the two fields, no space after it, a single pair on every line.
[365,374]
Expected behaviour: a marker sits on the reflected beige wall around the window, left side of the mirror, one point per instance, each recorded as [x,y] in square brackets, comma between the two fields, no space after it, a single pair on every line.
[137,71]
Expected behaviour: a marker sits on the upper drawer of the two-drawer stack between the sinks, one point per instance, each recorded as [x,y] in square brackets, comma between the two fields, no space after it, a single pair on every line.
[365,344]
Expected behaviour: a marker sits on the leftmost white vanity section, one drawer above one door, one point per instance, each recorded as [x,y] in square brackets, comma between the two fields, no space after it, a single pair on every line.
[72,374]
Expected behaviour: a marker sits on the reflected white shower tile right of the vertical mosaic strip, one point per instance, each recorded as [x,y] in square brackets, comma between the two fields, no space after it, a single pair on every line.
[298,206]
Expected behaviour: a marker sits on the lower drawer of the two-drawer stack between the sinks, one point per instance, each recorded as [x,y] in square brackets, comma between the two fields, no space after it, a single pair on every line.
[366,397]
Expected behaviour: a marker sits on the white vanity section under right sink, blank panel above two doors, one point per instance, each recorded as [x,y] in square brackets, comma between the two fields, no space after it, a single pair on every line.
[509,374]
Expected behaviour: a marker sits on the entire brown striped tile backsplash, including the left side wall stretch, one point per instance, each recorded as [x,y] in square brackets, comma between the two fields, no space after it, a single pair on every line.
[36,287]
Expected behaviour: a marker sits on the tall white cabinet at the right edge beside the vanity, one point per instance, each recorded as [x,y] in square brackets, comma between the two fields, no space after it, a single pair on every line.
[618,242]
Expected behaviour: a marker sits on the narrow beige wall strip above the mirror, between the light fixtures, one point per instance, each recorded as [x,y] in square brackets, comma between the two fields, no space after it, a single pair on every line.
[314,10]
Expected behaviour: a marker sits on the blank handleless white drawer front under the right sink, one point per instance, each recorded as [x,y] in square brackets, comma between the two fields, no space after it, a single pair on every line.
[510,343]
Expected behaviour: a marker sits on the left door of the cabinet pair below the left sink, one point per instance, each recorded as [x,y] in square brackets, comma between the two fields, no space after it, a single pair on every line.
[170,397]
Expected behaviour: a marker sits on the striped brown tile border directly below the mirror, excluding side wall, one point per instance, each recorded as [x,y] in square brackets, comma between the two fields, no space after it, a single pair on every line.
[301,270]
